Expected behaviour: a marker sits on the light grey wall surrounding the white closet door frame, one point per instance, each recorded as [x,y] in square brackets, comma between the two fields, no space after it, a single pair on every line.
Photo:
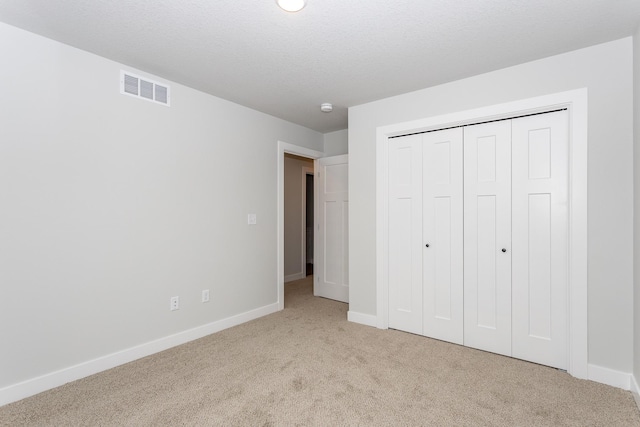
[606,70]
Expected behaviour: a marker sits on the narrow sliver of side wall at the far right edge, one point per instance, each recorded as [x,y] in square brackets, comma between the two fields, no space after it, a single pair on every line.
[636,234]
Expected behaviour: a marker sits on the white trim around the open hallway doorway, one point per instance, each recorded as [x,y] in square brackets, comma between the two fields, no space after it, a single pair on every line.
[284,147]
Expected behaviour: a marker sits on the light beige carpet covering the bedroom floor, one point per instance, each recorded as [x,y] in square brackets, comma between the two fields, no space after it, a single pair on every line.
[308,366]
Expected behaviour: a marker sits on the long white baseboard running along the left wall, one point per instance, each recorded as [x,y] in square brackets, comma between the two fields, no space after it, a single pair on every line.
[54,379]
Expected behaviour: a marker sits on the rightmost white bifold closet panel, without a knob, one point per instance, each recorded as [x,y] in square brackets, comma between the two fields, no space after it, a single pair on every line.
[540,238]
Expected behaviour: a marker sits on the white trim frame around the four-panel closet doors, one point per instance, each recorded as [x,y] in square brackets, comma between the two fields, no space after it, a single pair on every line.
[576,102]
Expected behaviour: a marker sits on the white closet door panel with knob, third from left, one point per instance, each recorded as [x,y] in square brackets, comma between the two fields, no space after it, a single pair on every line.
[487,237]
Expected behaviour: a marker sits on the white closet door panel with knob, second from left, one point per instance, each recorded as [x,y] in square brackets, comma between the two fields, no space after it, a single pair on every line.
[442,230]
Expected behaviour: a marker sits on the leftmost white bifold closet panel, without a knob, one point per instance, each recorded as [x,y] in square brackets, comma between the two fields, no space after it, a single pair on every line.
[405,234]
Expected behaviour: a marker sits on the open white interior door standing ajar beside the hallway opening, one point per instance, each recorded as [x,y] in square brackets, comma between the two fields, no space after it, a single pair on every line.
[332,269]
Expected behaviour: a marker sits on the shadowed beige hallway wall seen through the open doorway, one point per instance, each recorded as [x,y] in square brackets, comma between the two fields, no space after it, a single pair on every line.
[294,267]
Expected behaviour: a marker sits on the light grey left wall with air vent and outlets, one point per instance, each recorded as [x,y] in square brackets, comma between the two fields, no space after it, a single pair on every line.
[110,205]
